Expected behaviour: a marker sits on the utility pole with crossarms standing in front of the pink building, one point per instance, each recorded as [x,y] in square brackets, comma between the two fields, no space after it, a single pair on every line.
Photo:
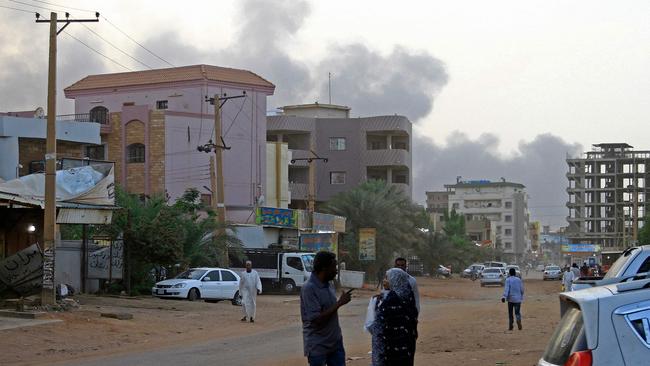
[217,183]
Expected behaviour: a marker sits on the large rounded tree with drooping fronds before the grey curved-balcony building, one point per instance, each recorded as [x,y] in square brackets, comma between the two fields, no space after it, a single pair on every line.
[375,204]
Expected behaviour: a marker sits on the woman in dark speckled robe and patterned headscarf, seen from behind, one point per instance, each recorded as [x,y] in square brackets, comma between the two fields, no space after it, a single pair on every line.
[394,329]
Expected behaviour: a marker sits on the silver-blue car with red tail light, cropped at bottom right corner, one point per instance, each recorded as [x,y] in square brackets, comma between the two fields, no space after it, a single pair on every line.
[606,325]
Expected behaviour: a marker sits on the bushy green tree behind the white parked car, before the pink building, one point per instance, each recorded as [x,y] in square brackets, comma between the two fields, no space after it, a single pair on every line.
[158,234]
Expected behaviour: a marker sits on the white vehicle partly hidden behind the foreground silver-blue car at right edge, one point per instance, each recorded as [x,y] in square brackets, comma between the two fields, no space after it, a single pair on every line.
[633,263]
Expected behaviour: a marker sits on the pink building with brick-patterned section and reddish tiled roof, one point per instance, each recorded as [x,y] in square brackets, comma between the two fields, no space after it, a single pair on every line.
[152,122]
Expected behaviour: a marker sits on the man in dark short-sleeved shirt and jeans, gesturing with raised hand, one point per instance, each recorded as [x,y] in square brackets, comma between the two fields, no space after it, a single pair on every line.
[323,342]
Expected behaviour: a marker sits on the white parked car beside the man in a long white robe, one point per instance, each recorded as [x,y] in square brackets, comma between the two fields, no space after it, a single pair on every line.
[210,284]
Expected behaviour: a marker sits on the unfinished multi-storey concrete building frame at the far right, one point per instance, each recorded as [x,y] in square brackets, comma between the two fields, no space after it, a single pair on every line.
[608,195]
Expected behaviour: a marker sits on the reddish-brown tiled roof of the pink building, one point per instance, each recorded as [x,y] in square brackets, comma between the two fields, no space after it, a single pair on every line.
[170,75]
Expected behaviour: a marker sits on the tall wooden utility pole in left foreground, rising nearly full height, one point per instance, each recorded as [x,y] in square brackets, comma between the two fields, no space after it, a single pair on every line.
[48,297]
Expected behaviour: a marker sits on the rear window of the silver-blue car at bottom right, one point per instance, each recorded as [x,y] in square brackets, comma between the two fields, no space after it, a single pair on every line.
[568,337]
